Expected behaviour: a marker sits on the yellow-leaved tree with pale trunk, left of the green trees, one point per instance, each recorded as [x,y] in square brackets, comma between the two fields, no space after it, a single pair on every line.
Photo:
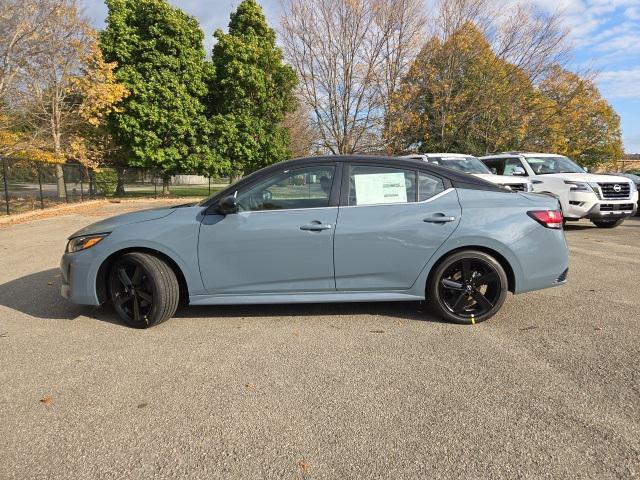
[69,89]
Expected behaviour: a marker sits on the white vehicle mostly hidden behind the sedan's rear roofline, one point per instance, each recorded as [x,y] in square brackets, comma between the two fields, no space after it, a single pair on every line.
[471,165]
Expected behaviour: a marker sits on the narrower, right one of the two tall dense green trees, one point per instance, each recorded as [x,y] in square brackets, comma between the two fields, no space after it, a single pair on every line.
[250,92]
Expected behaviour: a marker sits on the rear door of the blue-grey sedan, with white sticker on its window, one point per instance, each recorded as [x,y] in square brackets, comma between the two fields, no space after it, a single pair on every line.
[391,222]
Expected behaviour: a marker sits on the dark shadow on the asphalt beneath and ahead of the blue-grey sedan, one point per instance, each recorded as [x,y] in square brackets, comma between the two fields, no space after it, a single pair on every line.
[38,295]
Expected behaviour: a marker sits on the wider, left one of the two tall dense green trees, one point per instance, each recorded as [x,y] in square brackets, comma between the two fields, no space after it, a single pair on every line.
[160,56]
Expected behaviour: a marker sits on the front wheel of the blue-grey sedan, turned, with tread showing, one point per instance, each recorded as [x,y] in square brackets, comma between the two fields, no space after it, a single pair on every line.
[144,290]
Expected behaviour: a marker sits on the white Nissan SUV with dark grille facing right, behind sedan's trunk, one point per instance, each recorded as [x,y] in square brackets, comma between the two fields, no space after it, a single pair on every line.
[603,199]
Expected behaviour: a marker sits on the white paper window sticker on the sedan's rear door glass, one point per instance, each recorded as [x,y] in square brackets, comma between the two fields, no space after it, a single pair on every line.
[377,188]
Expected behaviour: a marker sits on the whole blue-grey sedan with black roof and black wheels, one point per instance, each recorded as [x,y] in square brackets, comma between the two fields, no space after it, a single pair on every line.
[326,229]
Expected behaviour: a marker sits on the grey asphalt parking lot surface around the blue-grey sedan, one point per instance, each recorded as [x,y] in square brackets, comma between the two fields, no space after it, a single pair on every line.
[550,387]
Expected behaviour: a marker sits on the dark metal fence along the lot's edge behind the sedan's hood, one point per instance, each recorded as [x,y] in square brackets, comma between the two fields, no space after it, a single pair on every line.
[29,185]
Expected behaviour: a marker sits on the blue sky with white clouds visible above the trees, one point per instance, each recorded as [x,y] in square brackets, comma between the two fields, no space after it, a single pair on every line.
[605,35]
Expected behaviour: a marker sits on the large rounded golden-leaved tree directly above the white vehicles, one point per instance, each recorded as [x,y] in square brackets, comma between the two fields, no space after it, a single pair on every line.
[459,97]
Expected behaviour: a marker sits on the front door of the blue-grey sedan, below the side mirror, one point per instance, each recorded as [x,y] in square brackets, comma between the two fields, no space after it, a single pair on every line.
[279,241]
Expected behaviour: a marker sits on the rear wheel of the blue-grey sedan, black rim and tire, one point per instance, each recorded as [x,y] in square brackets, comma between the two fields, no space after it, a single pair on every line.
[467,287]
